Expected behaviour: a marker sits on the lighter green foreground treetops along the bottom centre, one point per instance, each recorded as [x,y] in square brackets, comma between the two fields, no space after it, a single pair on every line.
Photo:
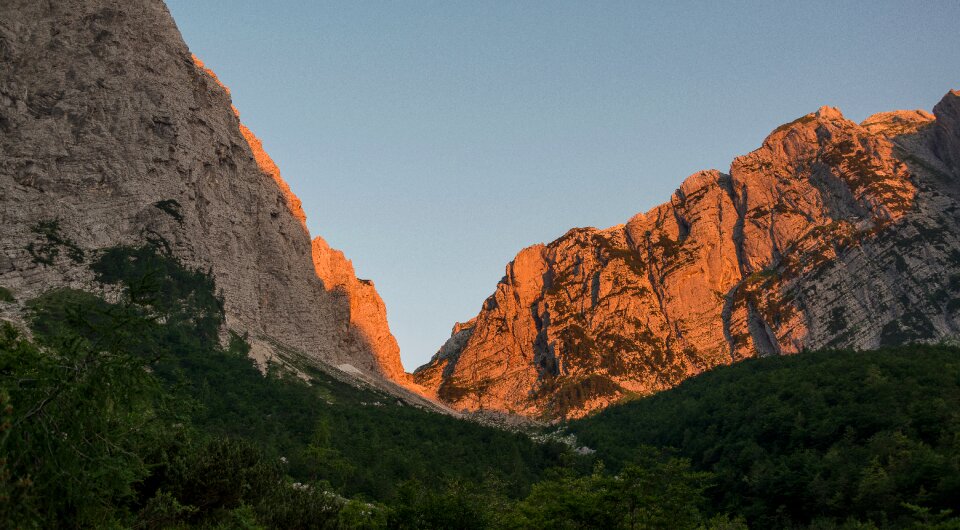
[656,490]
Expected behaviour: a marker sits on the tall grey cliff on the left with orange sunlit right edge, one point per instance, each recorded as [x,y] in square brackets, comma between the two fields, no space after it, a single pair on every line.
[113,133]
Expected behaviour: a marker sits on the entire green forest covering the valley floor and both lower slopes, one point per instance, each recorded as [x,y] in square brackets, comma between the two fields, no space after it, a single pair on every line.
[133,409]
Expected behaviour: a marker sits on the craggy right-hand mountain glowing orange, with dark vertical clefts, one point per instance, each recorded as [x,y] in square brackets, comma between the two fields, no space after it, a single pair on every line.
[831,234]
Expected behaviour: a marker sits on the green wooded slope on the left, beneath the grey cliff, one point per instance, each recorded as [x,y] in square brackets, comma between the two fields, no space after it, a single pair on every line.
[133,413]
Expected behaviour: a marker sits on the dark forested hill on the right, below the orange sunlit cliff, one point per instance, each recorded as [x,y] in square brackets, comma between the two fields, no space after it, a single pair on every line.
[828,434]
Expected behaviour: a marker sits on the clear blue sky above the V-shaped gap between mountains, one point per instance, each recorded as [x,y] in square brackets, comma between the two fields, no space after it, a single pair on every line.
[431,141]
